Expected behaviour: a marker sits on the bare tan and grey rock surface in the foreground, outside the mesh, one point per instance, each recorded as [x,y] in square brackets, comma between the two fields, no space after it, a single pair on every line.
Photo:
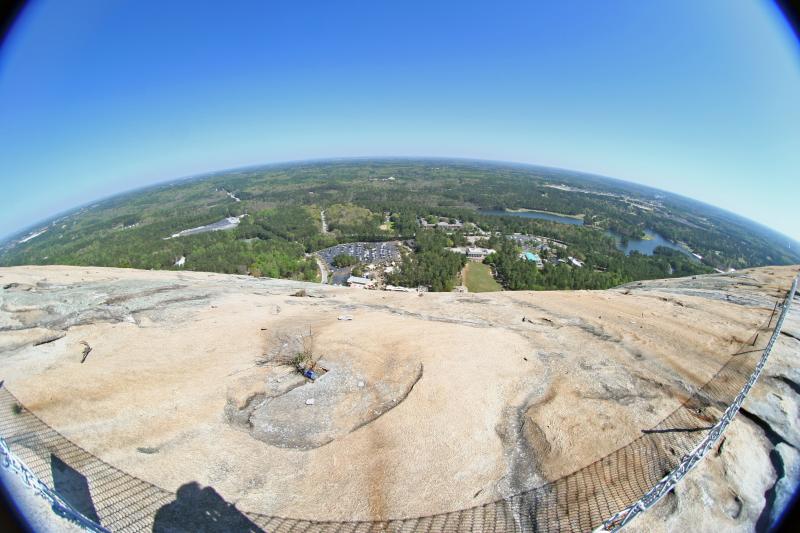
[426,404]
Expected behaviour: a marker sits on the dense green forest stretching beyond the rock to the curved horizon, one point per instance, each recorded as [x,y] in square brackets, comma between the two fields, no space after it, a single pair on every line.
[284,204]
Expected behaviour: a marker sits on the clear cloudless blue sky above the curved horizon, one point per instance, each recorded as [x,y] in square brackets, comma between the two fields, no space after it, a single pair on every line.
[696,97]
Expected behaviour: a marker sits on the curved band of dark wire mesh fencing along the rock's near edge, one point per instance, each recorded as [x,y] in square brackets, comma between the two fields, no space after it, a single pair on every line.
[580,501]
